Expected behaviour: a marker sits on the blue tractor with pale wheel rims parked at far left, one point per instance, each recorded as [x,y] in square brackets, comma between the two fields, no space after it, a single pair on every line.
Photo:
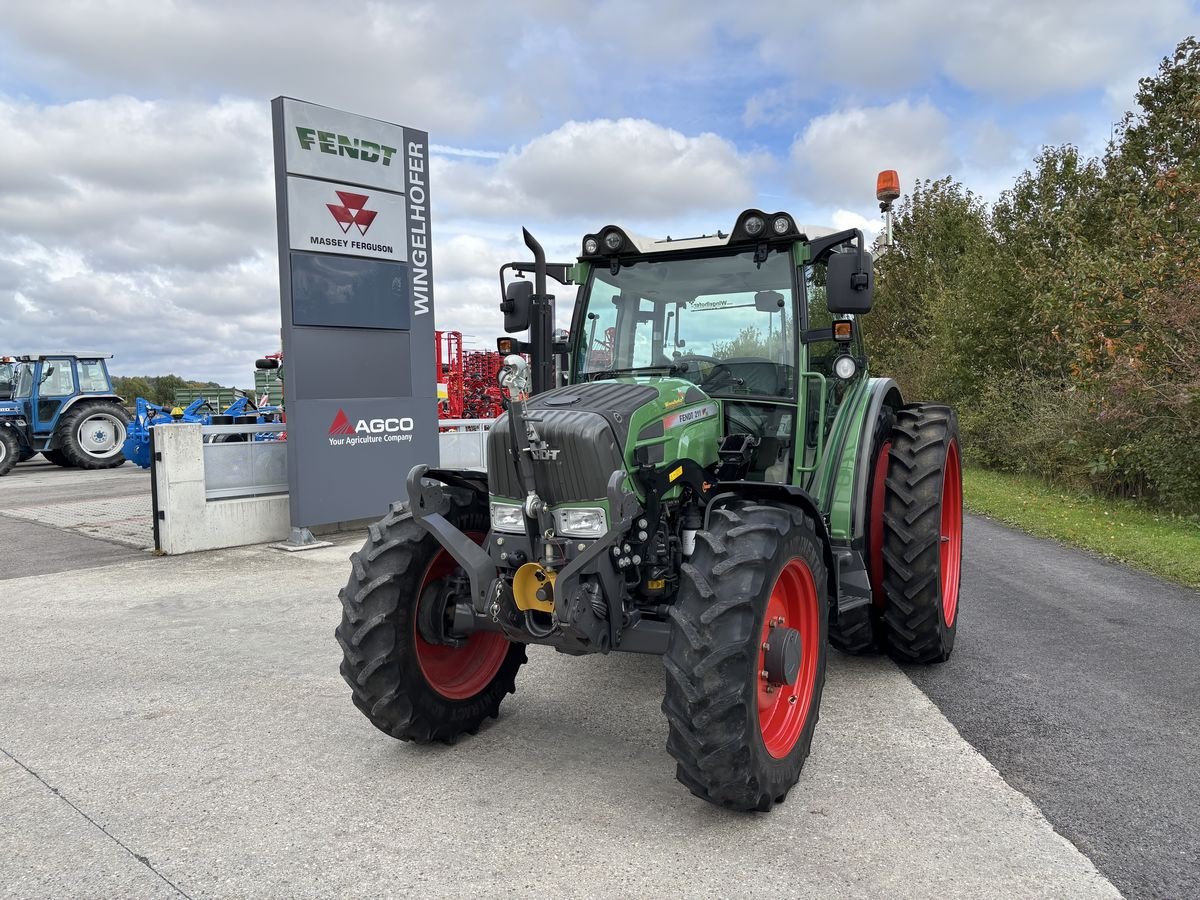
[63,406]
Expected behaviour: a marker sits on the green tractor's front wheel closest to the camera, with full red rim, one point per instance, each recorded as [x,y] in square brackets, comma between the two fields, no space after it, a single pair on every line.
[747,656]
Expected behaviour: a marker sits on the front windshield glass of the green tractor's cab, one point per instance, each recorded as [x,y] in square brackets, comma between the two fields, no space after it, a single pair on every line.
[727,323]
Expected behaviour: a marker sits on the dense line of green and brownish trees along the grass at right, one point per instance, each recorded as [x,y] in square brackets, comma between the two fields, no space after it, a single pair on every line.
[1064,320]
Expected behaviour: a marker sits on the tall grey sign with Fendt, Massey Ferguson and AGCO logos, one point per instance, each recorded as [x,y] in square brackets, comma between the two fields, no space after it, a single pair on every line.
[357,303]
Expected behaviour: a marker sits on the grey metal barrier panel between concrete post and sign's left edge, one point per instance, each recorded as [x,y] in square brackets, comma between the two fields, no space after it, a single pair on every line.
[236,465]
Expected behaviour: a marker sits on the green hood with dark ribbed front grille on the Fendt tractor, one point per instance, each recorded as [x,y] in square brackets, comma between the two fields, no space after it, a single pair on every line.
[579,435]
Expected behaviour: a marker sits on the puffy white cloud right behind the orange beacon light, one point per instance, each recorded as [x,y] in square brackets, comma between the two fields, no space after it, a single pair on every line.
[839,155]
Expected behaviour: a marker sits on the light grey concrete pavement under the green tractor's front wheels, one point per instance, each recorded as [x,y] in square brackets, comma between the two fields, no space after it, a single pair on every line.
[178,727]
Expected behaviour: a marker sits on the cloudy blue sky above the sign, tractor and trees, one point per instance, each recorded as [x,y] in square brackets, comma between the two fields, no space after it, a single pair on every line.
[137,211]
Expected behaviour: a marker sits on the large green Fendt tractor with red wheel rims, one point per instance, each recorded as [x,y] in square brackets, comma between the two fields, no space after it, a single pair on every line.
[716,479]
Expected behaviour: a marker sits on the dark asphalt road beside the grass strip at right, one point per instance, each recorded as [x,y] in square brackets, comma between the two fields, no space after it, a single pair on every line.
[1081,681]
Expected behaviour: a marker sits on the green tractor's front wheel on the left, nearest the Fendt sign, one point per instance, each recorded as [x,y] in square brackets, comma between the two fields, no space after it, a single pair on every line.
[404,685]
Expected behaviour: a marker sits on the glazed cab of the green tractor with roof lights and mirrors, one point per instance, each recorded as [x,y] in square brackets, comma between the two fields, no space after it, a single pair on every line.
[746,316]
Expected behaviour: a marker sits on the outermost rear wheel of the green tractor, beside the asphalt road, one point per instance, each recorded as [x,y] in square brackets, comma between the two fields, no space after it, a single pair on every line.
[923,535]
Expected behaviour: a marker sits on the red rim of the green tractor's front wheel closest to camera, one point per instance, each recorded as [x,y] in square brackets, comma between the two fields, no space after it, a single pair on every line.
[784,709]
